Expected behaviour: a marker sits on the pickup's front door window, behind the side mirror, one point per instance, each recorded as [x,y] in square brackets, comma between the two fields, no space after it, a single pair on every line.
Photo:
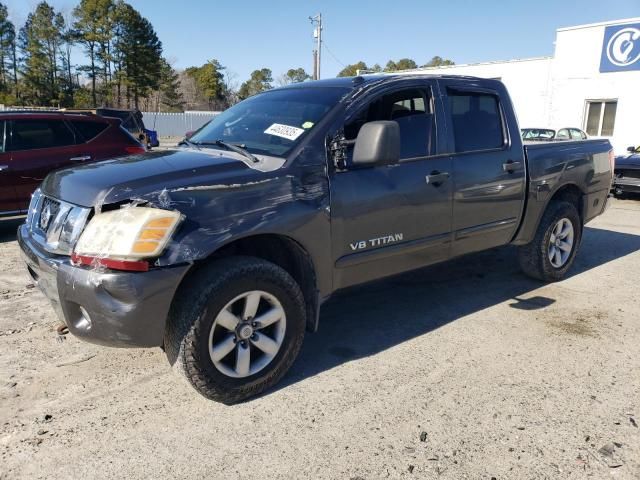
[411,109]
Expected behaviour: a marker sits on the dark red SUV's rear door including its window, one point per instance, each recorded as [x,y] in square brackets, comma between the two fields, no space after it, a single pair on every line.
[36,147]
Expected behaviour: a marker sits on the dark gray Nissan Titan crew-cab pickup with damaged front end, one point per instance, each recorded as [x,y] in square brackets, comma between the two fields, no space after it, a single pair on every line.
[222,250]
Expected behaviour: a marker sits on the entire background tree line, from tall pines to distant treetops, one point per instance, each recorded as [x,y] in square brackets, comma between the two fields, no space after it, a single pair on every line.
[124,65]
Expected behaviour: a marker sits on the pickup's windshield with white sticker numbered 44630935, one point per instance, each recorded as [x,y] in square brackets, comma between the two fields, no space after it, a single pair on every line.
[271,123]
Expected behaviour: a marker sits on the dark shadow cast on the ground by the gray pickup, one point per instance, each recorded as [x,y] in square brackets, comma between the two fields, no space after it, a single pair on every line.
[369,319]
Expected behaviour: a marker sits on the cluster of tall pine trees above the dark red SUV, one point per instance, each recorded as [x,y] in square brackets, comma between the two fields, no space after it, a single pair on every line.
[123,52]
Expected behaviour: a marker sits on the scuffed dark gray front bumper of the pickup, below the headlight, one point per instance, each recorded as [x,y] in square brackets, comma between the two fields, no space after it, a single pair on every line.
[117,309]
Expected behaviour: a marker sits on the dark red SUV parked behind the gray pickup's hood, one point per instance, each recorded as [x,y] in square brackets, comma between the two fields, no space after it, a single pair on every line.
[34,144]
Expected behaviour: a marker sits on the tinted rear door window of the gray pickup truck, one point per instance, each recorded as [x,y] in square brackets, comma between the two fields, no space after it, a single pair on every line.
[476,121]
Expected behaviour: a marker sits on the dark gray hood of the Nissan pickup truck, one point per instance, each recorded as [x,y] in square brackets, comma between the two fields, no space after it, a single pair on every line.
[136,176]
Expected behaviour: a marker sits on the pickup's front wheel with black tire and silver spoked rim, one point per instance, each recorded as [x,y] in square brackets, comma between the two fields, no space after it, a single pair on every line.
[196,333]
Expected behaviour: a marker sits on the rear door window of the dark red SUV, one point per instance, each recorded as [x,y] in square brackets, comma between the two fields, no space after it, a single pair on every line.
[33,134]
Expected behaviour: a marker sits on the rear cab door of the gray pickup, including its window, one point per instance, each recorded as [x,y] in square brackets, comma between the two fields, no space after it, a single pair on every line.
[488,166]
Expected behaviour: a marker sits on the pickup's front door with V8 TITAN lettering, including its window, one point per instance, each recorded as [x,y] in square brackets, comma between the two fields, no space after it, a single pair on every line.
[387,219]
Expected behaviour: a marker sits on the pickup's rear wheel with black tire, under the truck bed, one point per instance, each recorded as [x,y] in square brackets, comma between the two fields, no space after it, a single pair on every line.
[534,257]
